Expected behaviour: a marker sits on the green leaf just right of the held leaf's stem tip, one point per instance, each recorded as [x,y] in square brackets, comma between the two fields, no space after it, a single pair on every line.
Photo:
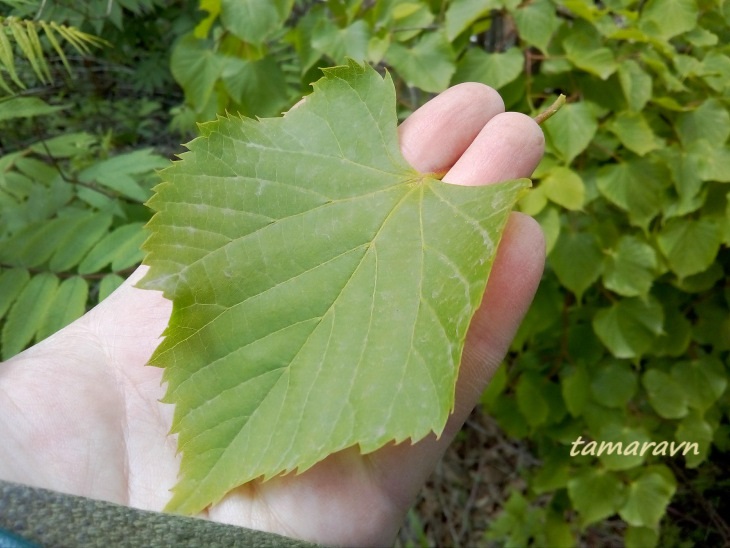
[571,132]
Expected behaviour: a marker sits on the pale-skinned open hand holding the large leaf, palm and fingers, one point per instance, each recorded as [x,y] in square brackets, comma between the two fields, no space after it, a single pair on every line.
[80,411]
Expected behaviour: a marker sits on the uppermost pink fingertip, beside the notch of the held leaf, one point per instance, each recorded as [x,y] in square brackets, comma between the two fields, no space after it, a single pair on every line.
[434,137]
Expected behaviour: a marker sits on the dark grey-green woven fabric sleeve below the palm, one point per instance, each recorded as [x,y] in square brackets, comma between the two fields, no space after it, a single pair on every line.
[50,519]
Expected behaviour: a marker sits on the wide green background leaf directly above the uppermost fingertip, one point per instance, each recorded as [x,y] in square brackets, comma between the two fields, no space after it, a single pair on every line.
[494,69]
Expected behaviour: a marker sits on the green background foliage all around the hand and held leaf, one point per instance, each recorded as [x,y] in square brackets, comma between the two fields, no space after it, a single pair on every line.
[629,335]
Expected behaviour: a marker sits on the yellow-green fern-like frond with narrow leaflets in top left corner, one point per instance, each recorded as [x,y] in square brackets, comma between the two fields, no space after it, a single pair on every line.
[25,34]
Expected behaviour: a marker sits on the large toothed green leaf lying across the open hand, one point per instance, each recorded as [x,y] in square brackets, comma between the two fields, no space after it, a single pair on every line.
[321,287]
